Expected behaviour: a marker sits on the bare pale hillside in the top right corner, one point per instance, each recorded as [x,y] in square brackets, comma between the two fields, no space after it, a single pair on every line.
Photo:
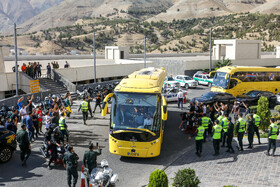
[185,9]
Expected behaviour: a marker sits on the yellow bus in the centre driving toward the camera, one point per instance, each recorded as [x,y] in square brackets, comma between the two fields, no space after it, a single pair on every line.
[138,111]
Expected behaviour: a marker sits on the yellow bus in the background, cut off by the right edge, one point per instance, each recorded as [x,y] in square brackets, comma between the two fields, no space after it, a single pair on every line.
[237,80]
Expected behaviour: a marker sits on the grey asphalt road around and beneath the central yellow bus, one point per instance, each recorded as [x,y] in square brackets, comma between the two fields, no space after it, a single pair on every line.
[131,171]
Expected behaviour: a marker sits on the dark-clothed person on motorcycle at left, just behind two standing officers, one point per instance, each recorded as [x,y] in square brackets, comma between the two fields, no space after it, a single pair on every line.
[54,140]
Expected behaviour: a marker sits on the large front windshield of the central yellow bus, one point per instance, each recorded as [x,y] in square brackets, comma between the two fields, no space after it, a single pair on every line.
[135,112]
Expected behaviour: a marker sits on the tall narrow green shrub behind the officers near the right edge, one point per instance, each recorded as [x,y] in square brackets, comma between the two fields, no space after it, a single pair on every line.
[264,112]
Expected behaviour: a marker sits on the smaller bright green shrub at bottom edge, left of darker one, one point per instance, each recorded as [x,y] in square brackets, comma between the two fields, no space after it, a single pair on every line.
[158,178]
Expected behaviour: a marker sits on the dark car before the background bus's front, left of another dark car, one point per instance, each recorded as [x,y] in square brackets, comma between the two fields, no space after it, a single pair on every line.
[213,97]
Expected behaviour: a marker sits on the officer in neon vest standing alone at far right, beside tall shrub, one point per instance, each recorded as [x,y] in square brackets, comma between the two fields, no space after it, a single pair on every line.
[272,136]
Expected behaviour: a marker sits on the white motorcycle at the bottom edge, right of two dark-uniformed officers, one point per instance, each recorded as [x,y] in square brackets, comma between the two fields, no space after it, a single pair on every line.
[102,177]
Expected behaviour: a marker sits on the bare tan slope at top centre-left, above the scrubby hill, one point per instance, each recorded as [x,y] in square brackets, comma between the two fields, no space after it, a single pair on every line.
[69,11]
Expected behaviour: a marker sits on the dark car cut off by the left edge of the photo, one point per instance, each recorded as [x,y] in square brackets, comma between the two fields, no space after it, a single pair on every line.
[7,144]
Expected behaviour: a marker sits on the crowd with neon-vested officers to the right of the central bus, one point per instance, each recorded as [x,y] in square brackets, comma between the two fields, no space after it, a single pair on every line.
[220,122]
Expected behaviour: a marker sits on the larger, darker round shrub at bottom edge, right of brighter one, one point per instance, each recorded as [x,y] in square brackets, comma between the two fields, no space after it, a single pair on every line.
[185,178]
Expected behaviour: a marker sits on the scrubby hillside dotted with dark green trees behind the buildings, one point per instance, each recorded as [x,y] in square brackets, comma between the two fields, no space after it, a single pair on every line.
[162,37]
